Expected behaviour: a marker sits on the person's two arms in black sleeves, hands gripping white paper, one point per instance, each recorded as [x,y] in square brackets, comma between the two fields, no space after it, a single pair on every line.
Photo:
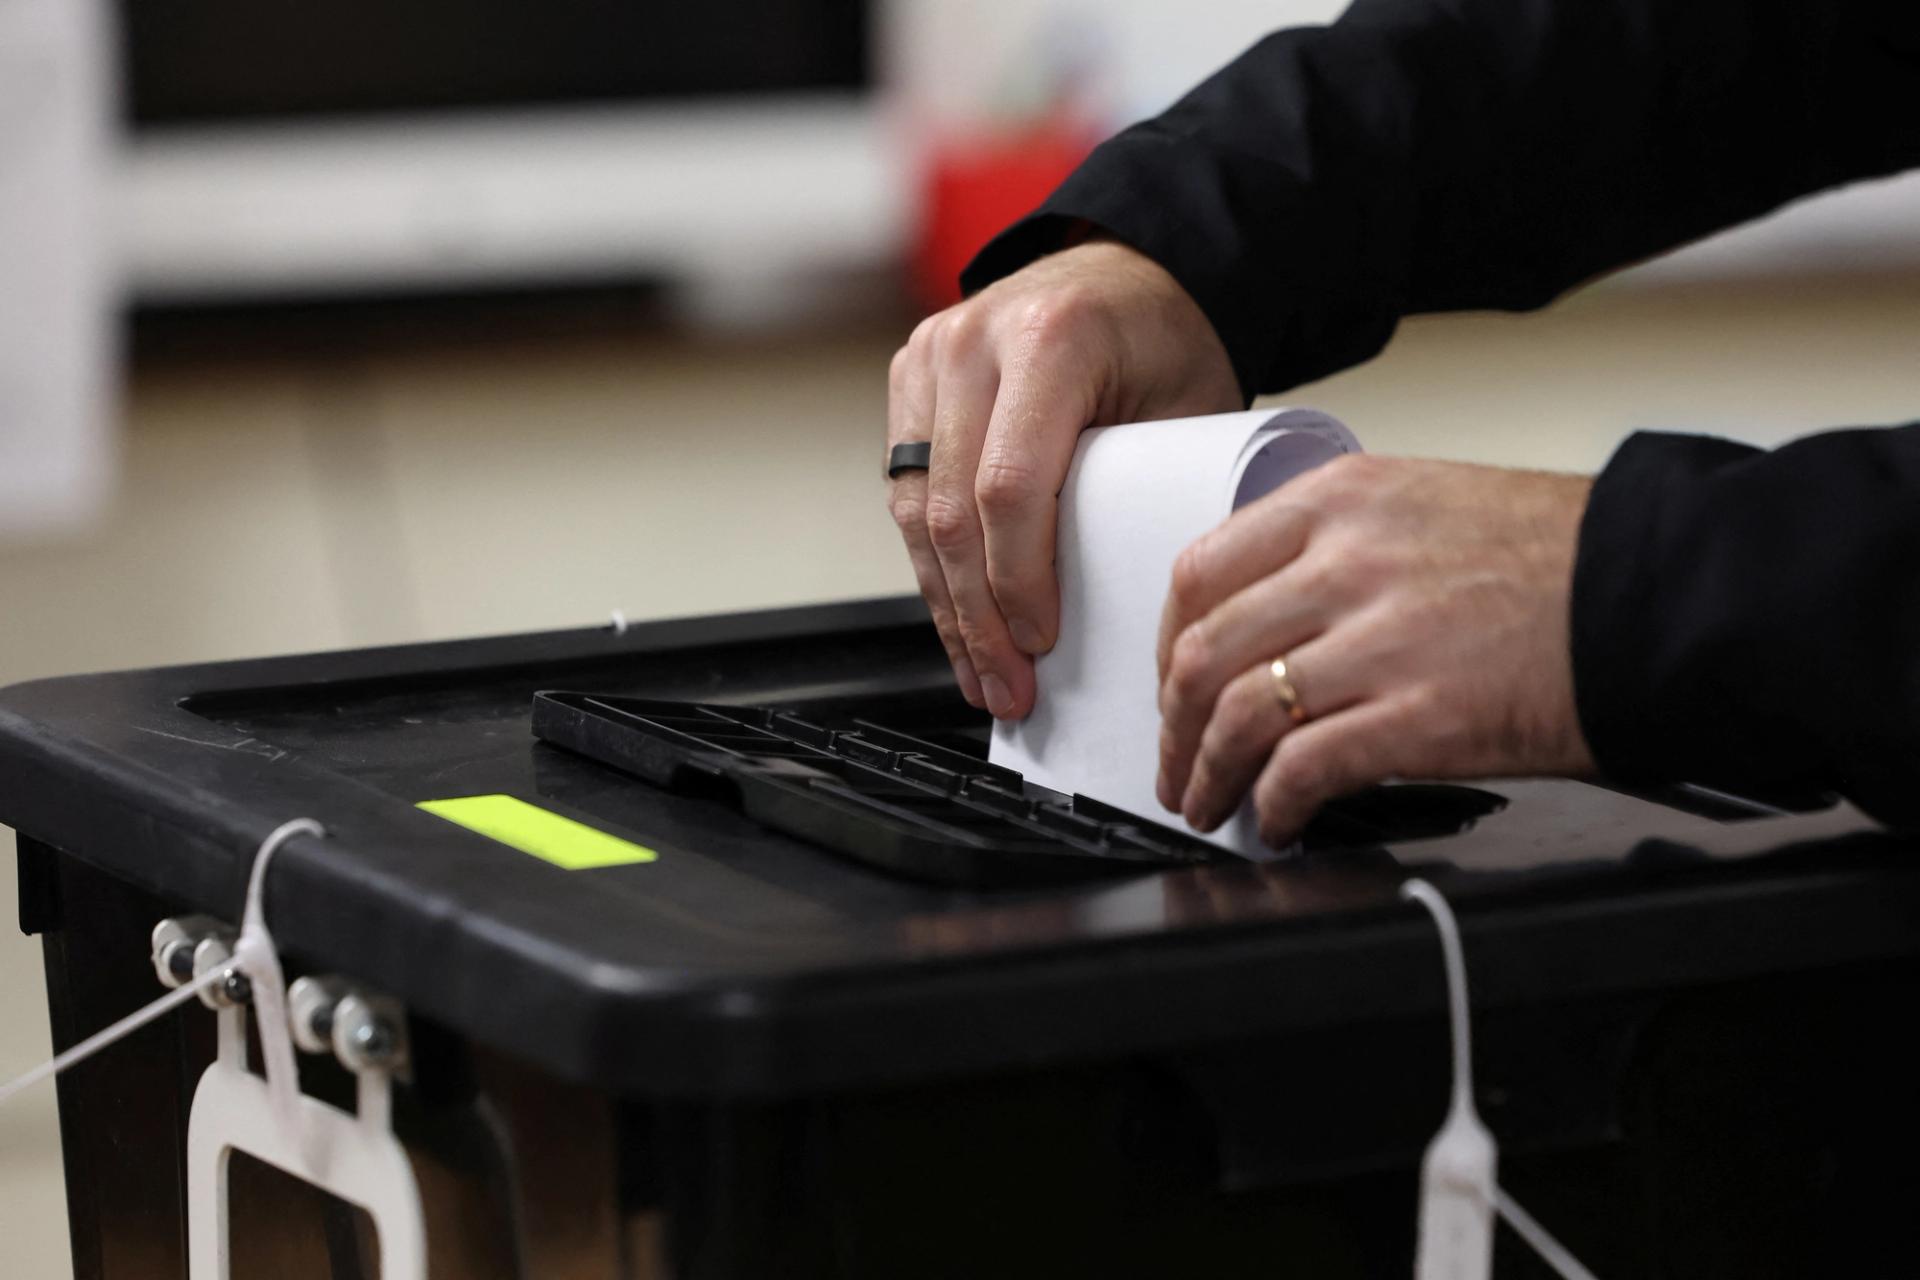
[1702,613]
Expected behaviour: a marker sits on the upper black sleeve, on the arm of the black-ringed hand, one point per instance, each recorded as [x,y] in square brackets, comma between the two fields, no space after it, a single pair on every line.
[1449,154]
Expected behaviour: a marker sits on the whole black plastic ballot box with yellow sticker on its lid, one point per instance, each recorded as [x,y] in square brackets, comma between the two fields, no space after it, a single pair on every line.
[636,1018]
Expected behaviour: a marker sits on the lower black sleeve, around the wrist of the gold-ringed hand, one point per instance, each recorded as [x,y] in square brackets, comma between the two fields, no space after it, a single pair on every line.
[1754,619]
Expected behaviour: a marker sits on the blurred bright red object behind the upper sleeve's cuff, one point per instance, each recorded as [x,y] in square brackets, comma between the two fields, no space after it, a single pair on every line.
[976,185]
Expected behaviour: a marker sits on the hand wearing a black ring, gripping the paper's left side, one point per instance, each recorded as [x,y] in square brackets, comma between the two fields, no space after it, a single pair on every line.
[1003,385]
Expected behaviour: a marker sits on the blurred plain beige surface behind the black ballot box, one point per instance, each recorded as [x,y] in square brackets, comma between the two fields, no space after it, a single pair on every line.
[458,486]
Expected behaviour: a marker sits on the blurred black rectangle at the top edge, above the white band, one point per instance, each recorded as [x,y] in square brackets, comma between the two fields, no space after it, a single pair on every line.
[218,60]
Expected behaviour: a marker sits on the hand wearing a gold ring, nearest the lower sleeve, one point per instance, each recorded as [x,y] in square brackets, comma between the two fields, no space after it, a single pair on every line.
[1422,609]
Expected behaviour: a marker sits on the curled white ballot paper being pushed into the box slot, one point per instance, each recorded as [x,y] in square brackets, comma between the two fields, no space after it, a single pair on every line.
[1134,500]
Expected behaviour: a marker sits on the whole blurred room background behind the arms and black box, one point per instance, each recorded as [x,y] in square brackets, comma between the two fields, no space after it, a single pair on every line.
[375,321]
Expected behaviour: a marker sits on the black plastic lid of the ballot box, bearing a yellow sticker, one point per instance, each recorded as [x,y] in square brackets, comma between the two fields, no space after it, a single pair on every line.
[688,951]
